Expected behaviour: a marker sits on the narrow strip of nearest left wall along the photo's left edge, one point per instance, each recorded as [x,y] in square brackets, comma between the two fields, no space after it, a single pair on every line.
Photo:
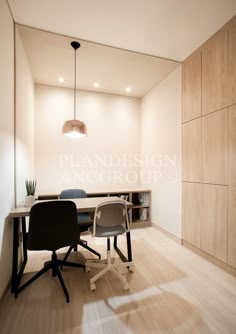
[6,141]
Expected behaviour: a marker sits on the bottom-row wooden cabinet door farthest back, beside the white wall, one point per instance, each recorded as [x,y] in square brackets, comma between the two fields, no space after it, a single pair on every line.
[191,201]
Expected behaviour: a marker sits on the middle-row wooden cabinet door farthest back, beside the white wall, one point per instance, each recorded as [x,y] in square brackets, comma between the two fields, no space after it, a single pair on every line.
[191,150]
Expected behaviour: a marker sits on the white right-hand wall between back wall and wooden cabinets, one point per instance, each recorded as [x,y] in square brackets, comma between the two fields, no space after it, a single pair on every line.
[161,151]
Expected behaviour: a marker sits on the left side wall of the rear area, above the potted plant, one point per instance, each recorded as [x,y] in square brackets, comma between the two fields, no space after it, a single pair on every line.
[24,121]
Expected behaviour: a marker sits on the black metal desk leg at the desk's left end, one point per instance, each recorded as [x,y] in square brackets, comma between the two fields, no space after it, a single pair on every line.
[16,276]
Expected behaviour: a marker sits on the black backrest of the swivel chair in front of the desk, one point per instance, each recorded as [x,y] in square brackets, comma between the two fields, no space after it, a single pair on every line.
[52,225]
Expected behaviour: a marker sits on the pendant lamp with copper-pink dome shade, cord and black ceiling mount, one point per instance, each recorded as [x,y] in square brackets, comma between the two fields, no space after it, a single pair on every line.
[74,128]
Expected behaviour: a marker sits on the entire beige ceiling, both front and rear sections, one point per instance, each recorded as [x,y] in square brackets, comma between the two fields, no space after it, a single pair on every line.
[132,43]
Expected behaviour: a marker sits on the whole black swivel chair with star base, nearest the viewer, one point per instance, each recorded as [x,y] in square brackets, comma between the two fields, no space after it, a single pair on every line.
[52,225]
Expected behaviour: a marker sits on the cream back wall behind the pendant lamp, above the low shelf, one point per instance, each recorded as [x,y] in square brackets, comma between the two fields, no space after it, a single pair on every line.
[100,161]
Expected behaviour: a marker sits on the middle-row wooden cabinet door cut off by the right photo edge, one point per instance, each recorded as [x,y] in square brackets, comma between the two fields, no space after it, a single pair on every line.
[232,146]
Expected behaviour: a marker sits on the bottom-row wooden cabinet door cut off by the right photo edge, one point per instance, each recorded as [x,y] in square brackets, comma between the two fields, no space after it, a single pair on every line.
[232,227]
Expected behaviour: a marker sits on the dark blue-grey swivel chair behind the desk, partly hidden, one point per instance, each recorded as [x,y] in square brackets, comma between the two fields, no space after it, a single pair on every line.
[84,220]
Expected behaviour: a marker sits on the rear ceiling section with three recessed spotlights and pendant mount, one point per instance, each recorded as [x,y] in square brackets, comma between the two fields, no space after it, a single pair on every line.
[51,56]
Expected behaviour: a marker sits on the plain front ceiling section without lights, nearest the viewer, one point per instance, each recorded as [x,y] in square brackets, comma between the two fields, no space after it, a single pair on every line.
[170,29]
